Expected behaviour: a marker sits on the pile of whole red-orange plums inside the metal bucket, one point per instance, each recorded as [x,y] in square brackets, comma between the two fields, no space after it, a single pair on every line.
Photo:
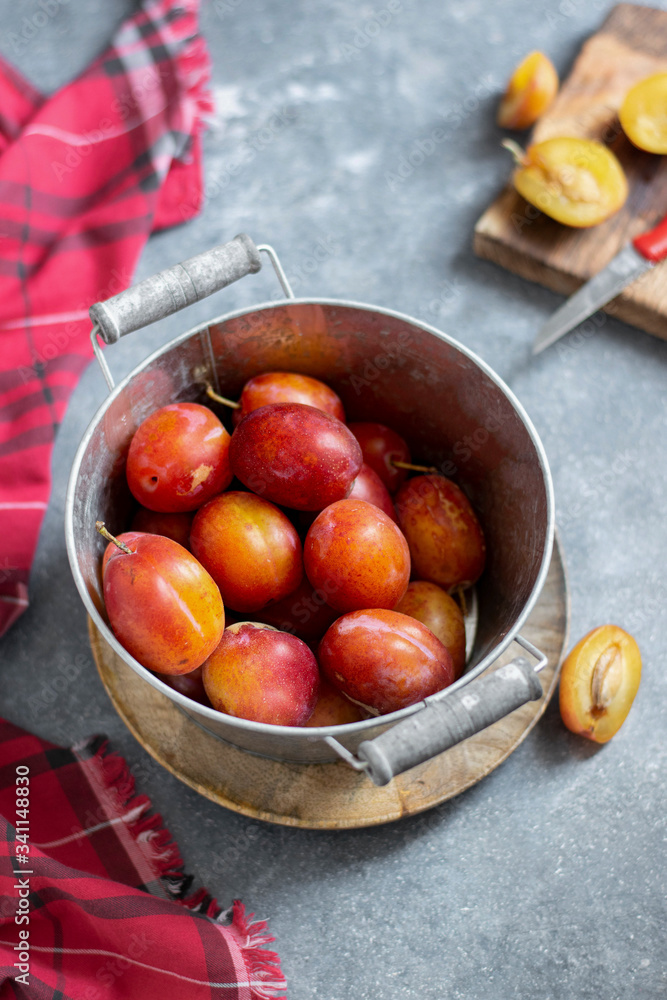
[290,573]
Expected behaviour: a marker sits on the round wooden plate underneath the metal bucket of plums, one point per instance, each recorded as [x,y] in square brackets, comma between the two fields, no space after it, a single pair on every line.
[329,796]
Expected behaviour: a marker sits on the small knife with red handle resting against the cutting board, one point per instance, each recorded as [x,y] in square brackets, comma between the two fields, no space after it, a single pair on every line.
[630,263]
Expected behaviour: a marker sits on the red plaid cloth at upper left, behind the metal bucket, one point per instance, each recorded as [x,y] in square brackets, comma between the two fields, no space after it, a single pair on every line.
[85,177]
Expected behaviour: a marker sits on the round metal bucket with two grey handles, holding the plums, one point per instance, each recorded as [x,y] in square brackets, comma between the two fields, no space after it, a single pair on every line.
[455,413]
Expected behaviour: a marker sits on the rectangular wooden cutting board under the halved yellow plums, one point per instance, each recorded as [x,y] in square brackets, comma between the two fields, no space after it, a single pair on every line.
[630,45]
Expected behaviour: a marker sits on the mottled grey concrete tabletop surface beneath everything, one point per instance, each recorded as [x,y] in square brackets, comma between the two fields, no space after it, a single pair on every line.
[547,879]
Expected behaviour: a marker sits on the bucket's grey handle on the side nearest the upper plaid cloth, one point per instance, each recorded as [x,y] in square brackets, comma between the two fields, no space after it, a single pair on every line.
[176,287]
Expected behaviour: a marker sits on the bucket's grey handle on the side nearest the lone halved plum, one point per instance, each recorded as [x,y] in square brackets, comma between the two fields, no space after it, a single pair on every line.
[448,719]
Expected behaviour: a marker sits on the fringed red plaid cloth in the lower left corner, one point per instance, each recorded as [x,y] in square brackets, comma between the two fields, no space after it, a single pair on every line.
[88,883]
